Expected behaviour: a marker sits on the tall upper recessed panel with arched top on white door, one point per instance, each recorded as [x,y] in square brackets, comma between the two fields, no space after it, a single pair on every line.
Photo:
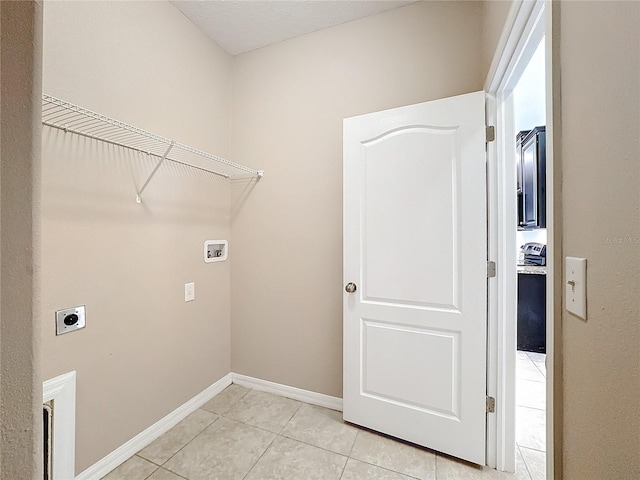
[396,266]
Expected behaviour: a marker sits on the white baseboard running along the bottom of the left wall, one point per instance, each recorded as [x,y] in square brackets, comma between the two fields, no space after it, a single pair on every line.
[144,438]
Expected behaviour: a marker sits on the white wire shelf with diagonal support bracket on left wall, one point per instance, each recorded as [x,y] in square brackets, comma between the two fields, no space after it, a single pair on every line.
[72,118]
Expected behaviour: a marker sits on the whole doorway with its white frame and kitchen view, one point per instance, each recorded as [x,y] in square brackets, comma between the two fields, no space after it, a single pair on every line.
[520,371]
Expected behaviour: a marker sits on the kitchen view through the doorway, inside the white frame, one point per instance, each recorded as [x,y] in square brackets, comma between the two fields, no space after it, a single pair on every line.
[529,119]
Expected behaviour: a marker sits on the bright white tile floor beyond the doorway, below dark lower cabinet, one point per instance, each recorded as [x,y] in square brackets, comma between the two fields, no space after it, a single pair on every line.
[531,412]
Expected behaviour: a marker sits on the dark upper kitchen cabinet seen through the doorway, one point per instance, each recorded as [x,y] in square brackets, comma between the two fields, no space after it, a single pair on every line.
[531,172]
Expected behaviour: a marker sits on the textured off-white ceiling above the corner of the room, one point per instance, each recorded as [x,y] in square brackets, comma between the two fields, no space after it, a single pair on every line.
[241,26]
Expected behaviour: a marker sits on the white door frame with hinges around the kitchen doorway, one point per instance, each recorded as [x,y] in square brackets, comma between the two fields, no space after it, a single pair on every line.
[526,24]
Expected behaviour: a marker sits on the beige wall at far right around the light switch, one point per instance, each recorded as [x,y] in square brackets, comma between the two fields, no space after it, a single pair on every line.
[600,109]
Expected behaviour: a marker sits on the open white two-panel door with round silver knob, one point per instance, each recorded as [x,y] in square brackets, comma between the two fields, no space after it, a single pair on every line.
[415,250]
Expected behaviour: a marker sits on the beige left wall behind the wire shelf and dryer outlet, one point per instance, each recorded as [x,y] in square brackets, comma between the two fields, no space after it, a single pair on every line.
[144,351]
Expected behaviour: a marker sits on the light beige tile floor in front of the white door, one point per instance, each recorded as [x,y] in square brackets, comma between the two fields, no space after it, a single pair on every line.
[244,434]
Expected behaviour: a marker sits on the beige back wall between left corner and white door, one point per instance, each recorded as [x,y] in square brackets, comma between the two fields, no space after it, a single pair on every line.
[289,103]
